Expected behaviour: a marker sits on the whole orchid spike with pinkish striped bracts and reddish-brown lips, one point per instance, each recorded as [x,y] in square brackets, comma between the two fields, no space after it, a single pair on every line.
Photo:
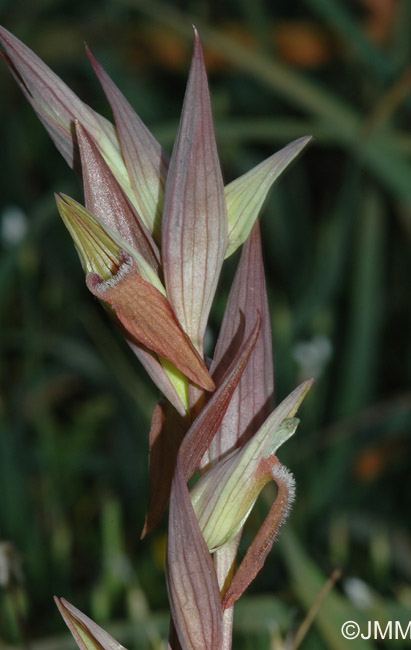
[152,238]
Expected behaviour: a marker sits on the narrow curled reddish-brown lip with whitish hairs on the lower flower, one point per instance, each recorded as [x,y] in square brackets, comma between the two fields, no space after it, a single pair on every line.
[264,540]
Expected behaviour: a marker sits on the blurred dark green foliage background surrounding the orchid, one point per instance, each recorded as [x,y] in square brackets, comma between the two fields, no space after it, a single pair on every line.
[75,407]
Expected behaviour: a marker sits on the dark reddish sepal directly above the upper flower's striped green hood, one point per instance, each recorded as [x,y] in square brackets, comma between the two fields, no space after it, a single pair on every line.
[106,200]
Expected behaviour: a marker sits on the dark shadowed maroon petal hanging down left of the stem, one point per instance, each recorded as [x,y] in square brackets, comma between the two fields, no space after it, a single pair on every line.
[166,433]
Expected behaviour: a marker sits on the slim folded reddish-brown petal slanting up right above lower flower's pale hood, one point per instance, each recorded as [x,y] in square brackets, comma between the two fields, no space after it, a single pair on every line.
[205,426]
